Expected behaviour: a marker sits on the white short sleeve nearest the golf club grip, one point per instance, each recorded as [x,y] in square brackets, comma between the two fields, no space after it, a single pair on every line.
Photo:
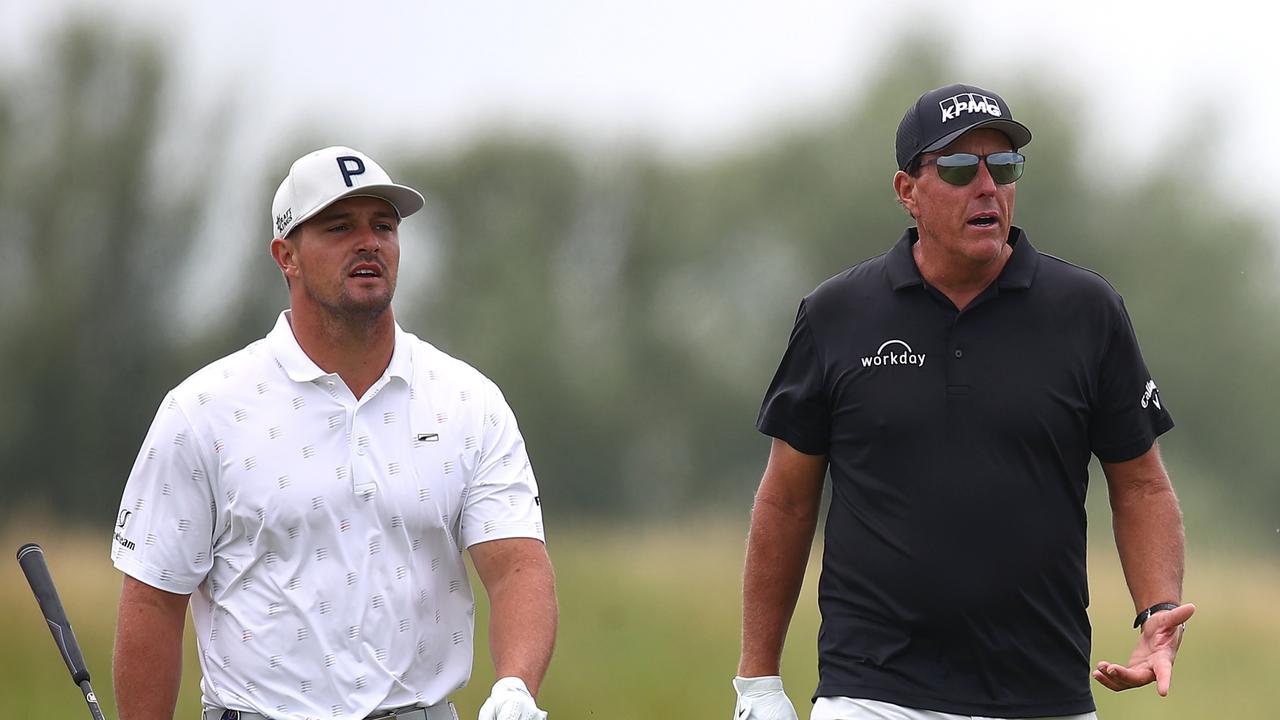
[164,528]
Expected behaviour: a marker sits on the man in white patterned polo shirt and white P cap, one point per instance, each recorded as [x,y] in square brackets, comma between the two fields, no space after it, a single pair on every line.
[310,496]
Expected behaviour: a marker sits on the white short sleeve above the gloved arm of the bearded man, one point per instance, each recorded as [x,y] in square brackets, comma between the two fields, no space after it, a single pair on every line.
[502,498]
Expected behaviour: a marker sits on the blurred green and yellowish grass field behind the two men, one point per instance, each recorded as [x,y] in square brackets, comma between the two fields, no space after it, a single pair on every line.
[650,630]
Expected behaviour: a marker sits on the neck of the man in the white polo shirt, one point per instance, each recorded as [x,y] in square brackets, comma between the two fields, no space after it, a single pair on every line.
[356,349]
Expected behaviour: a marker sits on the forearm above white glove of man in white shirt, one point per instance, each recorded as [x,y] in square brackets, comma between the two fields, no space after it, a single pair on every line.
[523,619]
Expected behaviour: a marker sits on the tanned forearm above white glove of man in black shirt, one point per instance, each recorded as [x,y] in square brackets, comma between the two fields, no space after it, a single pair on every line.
[778,553]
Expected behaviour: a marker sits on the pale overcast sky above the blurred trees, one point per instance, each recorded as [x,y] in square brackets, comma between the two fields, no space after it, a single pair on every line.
[697,76]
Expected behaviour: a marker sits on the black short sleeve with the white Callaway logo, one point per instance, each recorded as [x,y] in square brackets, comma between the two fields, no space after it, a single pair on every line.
[1130,414]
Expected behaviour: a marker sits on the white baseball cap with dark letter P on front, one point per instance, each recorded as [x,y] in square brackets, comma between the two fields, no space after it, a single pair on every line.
[321,179]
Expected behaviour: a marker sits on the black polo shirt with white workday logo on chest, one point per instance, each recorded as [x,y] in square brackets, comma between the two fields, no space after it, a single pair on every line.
[954,569]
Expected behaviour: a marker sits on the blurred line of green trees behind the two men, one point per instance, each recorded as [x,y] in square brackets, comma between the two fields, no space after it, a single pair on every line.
[632,306]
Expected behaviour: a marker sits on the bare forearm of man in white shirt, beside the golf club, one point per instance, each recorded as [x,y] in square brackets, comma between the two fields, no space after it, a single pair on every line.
[148,664]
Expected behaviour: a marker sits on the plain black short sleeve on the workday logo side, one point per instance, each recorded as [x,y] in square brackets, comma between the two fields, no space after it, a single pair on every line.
[797,408]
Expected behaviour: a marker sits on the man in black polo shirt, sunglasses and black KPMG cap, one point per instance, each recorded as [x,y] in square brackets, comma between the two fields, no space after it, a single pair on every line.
[957,388]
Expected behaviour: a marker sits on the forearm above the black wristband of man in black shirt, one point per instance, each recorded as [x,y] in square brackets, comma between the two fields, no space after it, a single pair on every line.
[1149,534]
